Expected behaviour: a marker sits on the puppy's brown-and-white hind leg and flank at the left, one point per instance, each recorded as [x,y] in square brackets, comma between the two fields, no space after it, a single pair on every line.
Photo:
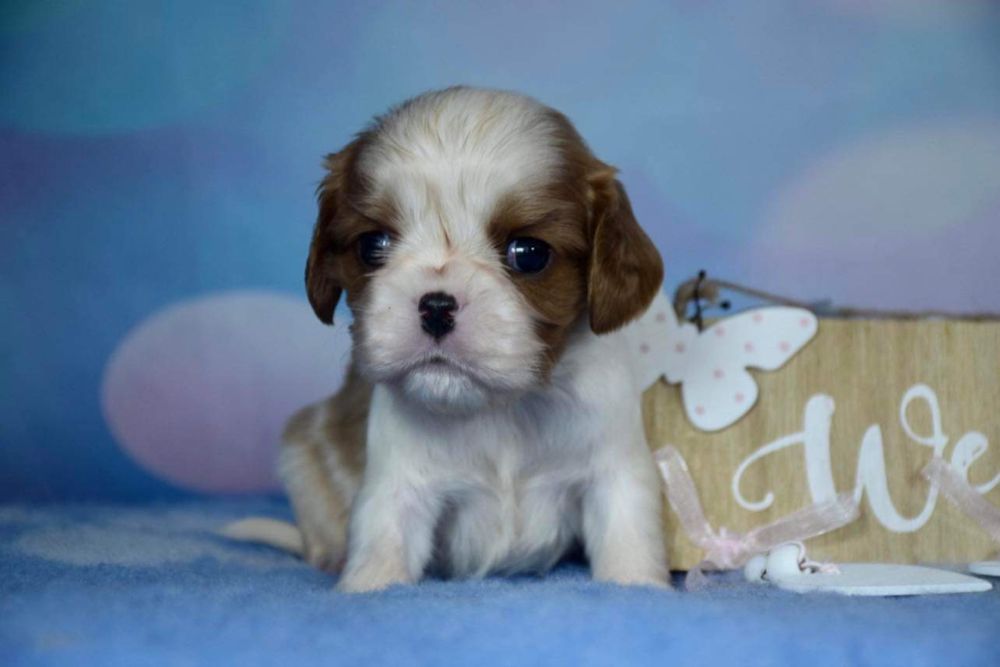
[321,464]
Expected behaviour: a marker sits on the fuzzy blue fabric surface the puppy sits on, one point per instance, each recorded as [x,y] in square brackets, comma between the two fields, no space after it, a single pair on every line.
[100,585]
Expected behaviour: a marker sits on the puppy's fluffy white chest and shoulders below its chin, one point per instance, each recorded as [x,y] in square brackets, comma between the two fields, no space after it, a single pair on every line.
[505,489]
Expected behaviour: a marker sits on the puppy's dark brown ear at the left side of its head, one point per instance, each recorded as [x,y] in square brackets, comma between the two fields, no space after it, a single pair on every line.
[322,284]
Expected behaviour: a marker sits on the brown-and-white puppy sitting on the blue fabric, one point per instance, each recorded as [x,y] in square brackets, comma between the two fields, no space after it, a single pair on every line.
[489,422]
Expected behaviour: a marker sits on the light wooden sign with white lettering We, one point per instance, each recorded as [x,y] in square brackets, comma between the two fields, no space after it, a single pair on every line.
[861,407]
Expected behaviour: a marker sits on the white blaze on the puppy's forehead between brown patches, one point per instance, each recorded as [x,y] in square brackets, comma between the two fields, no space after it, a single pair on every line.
[446,158]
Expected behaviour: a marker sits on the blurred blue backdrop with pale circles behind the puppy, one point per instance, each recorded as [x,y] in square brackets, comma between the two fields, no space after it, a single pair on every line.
[158,162]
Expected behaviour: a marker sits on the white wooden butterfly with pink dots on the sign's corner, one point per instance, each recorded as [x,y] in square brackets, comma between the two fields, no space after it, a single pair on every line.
[711,363]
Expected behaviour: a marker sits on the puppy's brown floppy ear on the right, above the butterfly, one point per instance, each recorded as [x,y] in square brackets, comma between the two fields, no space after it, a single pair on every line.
[625,268]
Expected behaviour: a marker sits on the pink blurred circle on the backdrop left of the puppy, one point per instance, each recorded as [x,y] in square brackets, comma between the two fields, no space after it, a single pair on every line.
[198,393]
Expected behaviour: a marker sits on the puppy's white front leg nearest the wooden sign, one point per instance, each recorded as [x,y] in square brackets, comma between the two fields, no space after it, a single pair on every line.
[623,534]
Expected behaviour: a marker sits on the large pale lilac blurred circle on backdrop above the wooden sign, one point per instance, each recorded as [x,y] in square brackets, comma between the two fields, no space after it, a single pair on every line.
[905,219]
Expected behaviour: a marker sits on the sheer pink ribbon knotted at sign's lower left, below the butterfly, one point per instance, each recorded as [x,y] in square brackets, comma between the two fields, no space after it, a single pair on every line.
[727,549]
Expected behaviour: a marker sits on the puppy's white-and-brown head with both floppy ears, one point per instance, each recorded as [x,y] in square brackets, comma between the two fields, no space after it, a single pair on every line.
[471,231]
